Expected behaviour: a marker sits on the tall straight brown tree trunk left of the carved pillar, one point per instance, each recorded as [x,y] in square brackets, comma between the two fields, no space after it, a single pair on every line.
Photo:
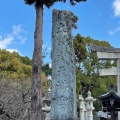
[36,92]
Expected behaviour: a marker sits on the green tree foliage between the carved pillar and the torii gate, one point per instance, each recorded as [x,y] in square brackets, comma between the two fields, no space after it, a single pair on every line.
[87,74]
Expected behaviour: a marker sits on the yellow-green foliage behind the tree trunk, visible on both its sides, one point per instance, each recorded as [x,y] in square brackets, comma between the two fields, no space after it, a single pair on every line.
[16,68]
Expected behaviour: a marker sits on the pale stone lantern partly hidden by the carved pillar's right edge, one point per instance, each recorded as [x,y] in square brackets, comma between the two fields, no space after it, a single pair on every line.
[83,112]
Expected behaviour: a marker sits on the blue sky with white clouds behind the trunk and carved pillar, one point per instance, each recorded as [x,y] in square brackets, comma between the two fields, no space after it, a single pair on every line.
[98,19]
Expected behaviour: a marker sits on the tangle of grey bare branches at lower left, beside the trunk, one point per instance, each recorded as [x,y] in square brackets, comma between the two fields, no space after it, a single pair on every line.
[14,100]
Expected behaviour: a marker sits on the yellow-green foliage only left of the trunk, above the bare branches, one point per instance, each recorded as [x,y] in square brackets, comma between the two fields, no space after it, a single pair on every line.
[12,66]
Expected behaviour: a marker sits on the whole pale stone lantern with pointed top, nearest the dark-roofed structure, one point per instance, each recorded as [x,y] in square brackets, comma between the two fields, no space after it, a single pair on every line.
[89,106]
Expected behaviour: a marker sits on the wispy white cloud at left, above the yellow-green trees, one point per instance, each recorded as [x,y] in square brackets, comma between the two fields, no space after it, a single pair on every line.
[15,36]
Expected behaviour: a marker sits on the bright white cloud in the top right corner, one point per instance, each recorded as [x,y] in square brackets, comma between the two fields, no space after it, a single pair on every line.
[116,7]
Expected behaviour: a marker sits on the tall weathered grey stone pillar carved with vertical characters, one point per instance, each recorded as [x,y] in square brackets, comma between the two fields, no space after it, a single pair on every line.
[63,102]
